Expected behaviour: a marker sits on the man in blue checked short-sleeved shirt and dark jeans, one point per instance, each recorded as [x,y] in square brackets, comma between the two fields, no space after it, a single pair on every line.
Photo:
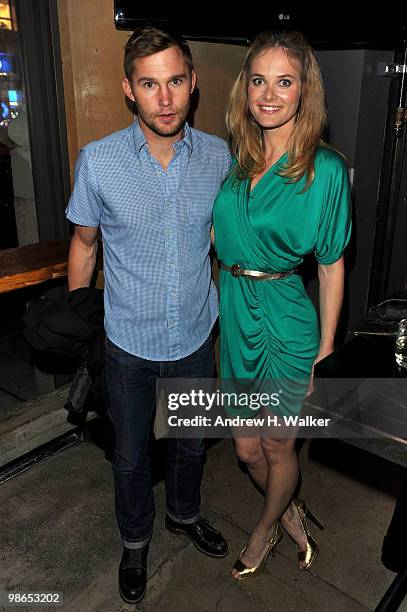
[150,188]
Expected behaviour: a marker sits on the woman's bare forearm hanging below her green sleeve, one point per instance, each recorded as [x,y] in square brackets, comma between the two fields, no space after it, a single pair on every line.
[331,282]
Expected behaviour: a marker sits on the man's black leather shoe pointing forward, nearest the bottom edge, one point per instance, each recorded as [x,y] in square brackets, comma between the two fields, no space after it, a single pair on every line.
[133,574]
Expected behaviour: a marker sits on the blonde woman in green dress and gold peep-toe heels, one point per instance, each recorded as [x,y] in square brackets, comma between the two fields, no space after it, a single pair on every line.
[286,196]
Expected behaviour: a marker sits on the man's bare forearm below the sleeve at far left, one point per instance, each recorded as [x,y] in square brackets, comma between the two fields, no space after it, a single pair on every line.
[82,257]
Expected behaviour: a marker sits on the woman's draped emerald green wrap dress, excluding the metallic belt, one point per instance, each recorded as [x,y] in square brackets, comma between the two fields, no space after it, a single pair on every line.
[269,328]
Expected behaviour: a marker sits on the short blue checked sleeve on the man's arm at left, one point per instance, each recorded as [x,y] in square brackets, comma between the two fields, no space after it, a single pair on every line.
[85,204]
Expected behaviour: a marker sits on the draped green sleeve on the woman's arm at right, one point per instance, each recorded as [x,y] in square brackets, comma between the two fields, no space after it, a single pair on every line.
[336,216]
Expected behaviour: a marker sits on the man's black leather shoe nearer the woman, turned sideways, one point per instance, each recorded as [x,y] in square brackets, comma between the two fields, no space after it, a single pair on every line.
[204,537]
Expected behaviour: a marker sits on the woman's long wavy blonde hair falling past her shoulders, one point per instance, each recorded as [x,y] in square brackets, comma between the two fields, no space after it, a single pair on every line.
[247,136]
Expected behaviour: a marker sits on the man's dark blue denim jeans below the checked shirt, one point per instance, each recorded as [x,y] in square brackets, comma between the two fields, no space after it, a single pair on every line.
[131,391]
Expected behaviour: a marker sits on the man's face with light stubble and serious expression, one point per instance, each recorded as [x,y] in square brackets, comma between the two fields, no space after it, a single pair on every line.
[161,87]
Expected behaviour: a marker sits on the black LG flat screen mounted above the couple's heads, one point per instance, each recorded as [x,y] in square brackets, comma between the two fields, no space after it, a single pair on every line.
[331,26]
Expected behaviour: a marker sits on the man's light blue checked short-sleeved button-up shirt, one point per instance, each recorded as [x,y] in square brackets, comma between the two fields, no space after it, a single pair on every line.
[160,301]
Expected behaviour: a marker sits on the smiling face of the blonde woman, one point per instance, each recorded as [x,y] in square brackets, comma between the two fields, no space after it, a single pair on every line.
[274,90]
